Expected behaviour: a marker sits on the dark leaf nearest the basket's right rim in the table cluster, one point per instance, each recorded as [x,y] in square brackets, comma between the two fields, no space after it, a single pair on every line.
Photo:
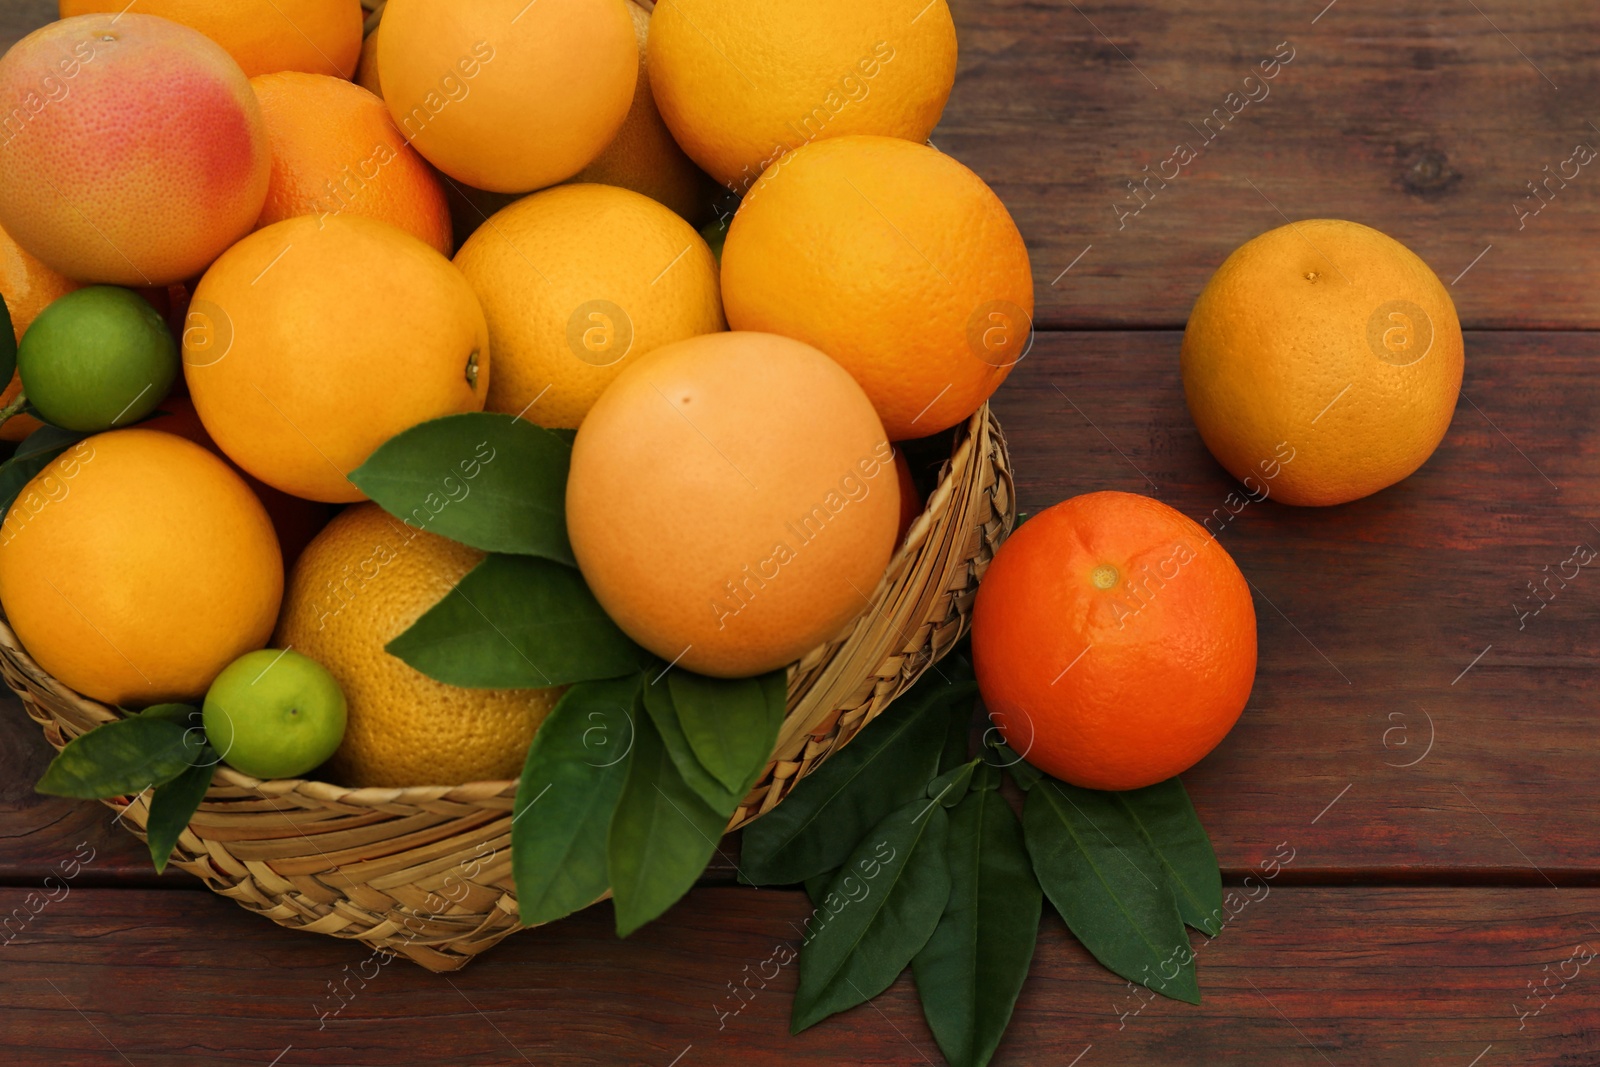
[887,765]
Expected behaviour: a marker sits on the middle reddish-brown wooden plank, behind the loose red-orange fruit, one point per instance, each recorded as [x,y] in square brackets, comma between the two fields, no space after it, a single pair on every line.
[1370,617]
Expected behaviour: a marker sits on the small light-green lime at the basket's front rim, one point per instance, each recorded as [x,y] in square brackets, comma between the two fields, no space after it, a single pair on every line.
[274,714]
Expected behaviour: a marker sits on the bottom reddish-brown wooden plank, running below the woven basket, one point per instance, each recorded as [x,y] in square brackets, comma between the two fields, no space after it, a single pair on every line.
[1300,977]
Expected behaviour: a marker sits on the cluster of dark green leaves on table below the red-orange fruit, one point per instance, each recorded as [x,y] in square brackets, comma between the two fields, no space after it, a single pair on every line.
[913,857]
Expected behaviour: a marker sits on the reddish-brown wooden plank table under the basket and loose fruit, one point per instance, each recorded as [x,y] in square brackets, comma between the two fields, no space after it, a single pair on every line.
[1422,746]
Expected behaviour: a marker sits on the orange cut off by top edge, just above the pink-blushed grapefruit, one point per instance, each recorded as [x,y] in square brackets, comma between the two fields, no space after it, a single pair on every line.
[263,36]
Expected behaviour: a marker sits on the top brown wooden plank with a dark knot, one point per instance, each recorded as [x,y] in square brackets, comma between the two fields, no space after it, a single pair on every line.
[1426,121]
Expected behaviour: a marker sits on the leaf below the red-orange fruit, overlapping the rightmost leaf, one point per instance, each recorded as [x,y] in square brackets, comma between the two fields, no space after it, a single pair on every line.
[1108,885]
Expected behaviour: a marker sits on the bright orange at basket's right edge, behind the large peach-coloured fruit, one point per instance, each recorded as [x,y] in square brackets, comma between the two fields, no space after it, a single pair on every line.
[897,262]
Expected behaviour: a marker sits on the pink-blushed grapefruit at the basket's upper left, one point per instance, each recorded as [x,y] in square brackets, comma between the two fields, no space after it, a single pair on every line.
[134,151]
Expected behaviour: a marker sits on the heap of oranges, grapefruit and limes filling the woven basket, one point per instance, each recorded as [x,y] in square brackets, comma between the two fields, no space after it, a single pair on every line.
[409,358]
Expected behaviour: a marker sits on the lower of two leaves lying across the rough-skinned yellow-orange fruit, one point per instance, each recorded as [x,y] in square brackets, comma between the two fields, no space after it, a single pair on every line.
[518,623]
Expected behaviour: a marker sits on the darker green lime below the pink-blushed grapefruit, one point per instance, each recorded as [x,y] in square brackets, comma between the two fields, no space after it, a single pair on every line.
[97,359]
